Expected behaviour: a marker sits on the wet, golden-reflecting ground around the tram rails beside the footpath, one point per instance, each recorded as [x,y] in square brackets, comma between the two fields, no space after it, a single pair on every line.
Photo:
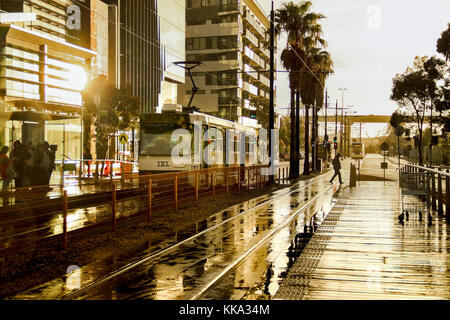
[184,270]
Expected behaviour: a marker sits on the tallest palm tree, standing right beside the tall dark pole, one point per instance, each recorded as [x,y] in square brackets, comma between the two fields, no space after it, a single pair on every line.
[302,30]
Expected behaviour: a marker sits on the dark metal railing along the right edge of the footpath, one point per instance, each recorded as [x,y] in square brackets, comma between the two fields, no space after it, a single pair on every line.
[438,196]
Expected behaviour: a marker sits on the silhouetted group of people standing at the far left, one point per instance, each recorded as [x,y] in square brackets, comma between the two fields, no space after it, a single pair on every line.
[28,165]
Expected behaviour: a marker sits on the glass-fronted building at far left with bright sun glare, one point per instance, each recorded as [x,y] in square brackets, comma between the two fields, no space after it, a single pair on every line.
[48,48]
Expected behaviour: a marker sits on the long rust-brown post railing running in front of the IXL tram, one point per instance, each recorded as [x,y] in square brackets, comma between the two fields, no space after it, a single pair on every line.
[39,215]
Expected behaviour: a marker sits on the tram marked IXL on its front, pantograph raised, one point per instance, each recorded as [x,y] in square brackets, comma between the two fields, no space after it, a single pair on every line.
[157,142]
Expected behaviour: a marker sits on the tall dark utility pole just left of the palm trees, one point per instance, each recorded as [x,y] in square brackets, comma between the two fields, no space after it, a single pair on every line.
[271,93]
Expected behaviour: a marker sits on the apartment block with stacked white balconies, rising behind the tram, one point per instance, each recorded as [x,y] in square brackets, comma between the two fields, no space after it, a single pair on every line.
[229,37]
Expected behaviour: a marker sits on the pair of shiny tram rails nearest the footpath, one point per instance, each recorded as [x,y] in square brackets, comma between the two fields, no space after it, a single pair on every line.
[165,251]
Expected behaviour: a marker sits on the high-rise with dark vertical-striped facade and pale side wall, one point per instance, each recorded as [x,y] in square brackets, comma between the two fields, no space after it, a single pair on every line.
[152,38]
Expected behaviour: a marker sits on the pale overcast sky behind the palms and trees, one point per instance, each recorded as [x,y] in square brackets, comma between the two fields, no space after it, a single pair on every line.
[371,41]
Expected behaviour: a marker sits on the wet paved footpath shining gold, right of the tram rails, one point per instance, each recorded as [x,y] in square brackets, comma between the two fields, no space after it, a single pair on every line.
[361,251]
